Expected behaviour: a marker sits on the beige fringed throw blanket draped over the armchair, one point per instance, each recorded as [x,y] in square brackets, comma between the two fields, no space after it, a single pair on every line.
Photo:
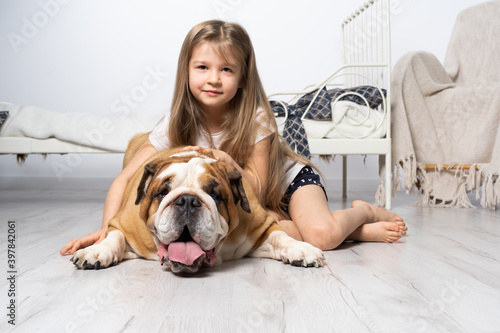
[452,116]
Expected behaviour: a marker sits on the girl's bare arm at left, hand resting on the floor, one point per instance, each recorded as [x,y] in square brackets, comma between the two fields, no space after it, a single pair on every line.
[113,199]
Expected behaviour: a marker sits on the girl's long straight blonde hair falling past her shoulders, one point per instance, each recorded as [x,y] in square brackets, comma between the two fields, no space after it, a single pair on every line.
[240,126]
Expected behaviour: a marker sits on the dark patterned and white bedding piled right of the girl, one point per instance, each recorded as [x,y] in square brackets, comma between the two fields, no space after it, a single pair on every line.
[332,114]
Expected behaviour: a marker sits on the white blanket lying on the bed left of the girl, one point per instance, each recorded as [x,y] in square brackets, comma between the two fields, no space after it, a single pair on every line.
[111,132]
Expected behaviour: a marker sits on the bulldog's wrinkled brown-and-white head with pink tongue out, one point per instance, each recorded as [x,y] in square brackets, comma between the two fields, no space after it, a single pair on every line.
[188,201]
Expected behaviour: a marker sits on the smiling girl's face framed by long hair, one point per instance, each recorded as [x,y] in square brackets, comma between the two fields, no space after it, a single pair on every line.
[212,80]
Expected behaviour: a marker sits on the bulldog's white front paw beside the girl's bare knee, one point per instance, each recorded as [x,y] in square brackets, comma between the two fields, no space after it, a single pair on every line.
[302,254]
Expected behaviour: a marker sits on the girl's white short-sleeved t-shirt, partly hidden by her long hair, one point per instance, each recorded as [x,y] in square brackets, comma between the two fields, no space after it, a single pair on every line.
[159,139]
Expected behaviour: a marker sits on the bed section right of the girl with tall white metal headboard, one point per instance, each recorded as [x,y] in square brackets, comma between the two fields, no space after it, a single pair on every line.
[358,95]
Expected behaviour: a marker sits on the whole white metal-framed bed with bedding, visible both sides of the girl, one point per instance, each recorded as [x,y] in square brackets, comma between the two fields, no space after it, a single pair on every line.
[357,95]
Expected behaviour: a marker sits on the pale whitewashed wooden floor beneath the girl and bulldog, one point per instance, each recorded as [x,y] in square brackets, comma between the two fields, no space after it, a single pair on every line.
[443,277]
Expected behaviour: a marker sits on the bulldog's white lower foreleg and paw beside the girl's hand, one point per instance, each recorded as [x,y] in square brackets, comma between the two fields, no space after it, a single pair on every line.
[107,253]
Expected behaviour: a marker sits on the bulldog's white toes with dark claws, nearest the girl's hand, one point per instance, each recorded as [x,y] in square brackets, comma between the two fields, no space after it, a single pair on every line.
[94,257]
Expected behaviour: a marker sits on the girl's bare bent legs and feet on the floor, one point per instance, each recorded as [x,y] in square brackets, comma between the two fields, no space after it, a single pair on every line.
[313,222]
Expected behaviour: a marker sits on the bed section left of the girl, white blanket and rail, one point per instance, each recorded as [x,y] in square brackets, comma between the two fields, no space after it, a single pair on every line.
[34,130]
